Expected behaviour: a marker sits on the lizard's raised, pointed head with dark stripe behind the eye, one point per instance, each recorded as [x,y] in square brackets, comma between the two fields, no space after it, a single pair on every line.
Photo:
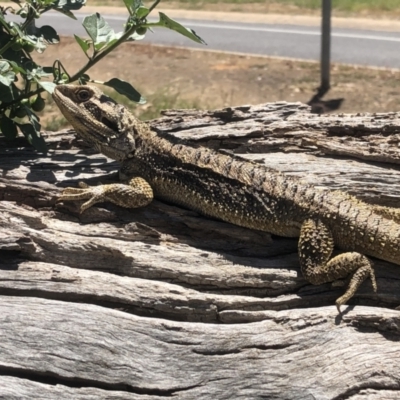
[98,119]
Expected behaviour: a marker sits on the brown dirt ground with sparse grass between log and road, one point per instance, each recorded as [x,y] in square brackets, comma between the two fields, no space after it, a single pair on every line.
[181,78]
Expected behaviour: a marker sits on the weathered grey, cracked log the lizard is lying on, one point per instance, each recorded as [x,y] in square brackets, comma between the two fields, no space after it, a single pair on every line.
[161,302]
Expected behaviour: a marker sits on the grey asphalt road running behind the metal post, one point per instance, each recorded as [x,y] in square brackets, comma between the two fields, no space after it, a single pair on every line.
[351,46]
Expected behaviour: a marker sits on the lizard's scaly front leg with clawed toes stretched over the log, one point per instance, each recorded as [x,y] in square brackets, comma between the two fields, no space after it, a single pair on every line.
[136,193]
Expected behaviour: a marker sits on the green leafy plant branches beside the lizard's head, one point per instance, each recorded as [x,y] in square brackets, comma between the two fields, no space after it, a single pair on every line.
[22,80]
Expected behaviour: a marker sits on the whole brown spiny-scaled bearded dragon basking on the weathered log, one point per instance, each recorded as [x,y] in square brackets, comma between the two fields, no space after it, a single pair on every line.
[231,189]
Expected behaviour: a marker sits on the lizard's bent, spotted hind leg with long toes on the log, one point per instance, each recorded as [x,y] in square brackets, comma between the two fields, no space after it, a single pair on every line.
[315,250]
